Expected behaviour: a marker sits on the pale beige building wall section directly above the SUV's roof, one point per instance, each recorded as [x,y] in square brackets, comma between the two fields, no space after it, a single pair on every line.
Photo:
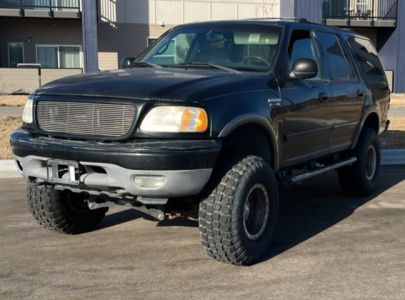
[171,12]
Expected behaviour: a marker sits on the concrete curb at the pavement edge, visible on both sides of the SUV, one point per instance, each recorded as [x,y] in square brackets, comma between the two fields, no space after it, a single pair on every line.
[8,168]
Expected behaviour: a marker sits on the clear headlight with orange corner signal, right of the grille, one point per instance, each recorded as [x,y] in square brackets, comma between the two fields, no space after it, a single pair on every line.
[175,119]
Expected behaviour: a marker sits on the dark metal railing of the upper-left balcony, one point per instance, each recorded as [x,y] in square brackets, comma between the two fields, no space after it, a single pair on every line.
[49,5]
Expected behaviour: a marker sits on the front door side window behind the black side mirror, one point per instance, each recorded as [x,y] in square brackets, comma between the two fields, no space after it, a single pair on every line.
[302,45]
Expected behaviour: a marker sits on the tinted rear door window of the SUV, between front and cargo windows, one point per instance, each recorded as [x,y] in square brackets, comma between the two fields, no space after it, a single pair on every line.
[334,56]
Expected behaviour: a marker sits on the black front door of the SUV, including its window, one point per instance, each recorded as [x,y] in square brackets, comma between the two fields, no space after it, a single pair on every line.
[308,117]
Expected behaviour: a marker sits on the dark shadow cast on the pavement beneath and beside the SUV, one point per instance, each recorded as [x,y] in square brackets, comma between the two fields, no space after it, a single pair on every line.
[305,210]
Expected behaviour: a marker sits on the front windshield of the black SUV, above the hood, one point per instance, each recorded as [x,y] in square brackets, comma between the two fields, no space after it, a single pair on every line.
[241,47]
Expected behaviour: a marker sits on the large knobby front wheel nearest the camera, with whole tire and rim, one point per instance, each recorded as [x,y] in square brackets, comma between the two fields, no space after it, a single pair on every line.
[238,212]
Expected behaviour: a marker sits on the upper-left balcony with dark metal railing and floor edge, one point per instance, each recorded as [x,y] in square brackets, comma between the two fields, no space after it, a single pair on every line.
[67,9]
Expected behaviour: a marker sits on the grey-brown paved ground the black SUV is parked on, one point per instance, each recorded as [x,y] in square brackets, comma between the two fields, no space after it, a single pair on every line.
[326,246]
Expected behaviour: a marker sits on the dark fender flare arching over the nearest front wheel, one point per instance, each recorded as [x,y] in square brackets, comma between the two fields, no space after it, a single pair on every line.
[259,120]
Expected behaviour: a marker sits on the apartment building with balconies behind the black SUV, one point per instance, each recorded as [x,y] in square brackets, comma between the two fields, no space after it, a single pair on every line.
[75,35]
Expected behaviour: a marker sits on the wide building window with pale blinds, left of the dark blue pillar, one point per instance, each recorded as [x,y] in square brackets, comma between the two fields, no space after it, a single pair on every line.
[63,57]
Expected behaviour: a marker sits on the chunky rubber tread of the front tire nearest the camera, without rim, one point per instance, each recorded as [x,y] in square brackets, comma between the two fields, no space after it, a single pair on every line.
[219,235]
